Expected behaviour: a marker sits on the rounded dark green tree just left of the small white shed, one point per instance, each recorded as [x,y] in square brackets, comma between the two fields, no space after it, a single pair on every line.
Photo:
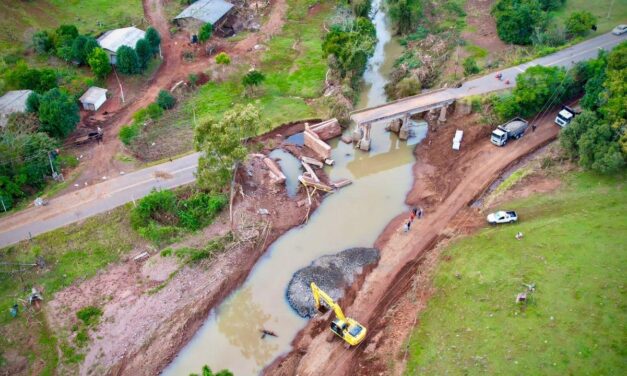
[58,113]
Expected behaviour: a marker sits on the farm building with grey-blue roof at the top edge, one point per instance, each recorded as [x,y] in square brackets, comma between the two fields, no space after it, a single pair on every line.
[201,12]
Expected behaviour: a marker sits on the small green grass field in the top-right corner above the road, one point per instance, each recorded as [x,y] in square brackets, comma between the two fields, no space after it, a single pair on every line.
[609,13]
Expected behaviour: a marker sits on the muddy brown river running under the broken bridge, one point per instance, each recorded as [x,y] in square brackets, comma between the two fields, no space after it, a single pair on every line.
[351,217]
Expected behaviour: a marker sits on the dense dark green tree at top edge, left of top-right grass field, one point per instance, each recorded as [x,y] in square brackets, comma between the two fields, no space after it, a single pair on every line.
[517,19]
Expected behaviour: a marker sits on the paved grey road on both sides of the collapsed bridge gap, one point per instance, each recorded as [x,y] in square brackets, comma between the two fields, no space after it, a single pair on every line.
[112,193]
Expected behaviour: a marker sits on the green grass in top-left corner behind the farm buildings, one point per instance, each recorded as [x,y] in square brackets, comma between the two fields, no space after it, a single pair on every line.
[18,18]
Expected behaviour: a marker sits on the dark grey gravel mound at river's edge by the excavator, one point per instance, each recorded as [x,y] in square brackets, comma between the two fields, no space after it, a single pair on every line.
[332,273]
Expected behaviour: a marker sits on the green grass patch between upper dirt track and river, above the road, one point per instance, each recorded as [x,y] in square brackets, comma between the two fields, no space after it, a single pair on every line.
[294,69]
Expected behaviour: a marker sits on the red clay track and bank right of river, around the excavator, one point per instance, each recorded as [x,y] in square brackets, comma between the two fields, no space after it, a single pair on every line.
[446,182]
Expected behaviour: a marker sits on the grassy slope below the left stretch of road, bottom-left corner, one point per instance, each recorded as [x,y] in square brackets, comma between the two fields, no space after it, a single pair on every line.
[75,252]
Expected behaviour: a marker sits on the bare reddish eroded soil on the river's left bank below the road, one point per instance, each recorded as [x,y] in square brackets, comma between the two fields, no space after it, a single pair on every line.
[144,325]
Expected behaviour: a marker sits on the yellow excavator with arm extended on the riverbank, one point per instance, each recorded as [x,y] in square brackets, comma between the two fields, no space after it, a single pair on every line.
[344,327]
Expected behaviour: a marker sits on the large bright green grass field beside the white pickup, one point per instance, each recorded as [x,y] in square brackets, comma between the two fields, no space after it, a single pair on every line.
[574,249]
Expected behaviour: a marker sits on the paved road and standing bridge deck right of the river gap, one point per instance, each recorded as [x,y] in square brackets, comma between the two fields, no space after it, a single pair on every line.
[486,84]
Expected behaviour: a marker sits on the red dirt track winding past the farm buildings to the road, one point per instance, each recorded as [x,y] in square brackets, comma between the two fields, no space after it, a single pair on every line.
[100,158]
